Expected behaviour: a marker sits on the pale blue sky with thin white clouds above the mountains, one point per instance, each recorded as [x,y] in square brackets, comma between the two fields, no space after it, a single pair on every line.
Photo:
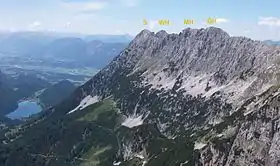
[258,19]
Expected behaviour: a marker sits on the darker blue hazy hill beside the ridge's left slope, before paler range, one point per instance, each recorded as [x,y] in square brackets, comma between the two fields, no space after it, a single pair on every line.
[94,54]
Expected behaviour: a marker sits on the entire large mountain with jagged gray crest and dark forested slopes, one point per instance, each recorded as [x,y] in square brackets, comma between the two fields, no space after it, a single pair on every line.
[199,97]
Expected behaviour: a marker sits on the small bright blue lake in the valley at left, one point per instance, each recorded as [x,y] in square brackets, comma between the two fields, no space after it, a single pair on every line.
[25,109]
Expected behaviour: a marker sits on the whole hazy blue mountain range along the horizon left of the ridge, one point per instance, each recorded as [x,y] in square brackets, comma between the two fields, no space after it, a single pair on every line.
[88,50]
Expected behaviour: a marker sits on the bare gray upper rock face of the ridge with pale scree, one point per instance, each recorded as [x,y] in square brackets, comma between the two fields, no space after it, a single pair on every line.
[211,55]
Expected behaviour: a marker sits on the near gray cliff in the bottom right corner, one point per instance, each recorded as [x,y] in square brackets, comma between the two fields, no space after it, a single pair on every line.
[256,138]
